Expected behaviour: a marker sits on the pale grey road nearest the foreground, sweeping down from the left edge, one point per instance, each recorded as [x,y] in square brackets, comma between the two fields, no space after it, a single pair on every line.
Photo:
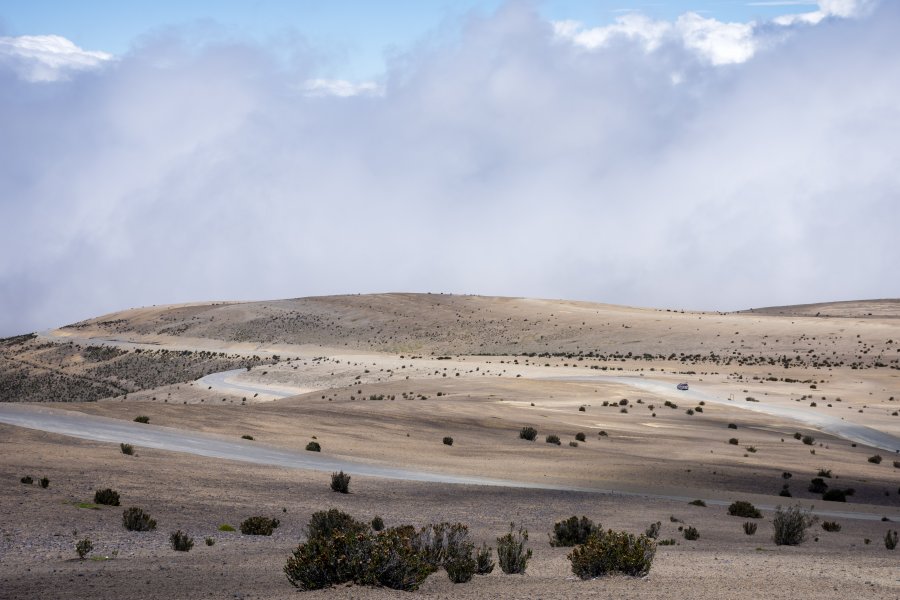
[104,429]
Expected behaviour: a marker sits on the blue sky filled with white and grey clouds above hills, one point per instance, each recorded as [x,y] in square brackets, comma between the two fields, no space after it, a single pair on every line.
[699,154]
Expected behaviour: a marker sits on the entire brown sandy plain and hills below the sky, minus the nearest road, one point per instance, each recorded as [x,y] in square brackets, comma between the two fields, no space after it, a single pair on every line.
[384,379]
